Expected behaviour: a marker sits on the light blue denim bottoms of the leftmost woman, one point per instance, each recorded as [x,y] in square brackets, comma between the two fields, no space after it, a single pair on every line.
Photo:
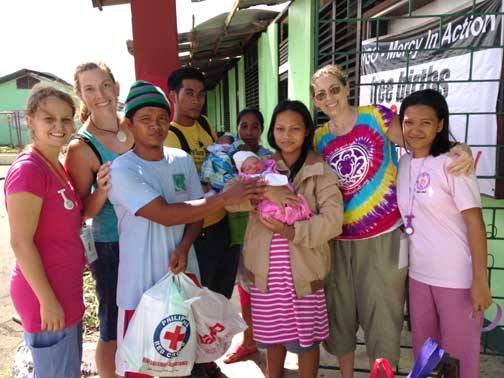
[56,354]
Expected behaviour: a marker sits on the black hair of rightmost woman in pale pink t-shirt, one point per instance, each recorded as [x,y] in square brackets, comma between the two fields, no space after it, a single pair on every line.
[436,102]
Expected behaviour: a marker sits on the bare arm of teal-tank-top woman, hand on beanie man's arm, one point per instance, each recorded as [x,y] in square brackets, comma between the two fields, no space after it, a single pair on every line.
[83,166]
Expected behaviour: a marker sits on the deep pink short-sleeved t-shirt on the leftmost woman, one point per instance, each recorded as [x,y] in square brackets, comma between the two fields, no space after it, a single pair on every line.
[57,240]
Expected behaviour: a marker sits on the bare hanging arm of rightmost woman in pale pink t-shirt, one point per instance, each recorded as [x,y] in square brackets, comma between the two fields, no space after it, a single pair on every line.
[480,291]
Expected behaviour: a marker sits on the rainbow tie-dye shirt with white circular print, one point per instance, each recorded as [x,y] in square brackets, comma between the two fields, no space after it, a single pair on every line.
[366,164]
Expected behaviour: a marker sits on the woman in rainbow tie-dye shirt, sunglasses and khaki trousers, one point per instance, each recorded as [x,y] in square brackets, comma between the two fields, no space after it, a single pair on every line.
[367,280]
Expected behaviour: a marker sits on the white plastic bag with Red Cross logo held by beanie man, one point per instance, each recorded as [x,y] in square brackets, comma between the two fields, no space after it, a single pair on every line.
[161,336]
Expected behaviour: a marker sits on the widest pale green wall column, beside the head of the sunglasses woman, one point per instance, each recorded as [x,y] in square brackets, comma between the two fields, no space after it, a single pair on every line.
[301,50]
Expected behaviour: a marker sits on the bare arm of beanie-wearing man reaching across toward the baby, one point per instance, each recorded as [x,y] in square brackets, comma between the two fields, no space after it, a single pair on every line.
[169,214]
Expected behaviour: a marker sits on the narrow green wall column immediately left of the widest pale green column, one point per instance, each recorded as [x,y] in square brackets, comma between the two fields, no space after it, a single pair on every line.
[268,74]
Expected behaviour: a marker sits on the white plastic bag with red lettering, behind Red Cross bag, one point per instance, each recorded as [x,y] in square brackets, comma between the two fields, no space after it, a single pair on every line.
[216,321]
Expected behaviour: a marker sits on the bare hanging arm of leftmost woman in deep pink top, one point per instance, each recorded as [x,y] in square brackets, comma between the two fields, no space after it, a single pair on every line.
[24,211]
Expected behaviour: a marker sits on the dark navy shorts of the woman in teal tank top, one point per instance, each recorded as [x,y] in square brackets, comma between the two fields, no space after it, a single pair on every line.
[105,274]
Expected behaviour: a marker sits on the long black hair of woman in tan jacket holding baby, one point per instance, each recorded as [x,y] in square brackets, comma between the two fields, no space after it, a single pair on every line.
[302,110]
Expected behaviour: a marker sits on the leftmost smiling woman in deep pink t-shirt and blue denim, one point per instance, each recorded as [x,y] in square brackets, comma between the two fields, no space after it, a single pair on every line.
[44,218]
